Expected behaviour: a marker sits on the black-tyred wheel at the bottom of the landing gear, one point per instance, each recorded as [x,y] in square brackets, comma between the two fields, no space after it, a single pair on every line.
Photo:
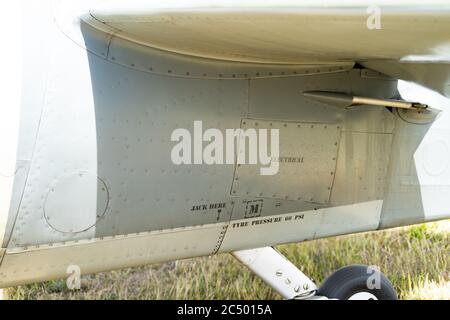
[355,282]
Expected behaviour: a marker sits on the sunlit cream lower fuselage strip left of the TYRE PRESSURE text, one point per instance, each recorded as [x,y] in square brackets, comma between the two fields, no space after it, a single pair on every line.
[46,262]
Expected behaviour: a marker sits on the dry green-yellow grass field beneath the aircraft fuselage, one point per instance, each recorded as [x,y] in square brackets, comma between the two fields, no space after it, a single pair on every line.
[415,259]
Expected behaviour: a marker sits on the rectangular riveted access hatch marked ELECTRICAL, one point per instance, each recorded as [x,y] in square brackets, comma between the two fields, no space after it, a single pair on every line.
[307,162]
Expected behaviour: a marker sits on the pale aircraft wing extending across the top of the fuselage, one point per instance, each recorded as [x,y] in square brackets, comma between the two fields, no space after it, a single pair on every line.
[412,43]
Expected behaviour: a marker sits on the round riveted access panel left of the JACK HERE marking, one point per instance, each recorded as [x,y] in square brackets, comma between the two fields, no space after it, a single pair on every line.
[76,203]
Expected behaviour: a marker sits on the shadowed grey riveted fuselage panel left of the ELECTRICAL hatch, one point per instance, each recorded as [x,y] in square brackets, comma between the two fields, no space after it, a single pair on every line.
[135,121]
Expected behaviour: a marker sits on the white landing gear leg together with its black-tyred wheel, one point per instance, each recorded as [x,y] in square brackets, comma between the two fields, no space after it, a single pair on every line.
[355,282]
